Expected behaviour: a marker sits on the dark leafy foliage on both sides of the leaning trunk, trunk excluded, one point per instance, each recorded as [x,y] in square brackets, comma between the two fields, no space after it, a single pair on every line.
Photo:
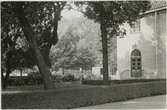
[43,17]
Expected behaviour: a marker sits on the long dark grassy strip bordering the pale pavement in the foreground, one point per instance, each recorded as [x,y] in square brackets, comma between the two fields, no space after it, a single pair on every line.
[79,97]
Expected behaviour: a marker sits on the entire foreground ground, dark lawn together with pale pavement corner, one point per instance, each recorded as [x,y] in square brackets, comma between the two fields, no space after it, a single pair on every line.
[75,95]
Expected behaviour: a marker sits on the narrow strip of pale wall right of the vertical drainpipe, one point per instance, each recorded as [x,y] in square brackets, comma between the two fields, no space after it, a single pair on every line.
[161,34]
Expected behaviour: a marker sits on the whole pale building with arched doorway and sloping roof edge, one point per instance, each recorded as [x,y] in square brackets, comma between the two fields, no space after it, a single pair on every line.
[149,36]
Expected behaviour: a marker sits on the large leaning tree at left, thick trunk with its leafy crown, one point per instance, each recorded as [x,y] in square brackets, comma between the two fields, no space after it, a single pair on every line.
[39,22]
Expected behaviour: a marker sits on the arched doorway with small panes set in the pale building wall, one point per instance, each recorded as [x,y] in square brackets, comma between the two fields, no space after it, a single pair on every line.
[136,63]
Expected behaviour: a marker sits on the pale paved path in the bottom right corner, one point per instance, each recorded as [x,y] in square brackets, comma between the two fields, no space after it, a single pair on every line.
[154,102]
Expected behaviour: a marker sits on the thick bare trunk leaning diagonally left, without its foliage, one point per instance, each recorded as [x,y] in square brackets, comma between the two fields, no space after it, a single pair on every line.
[29,34]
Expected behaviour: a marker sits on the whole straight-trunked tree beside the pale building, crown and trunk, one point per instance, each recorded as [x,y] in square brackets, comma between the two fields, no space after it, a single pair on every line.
[110,15]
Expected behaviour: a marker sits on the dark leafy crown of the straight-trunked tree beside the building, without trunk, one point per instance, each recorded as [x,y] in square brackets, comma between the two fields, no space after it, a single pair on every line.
[114,13]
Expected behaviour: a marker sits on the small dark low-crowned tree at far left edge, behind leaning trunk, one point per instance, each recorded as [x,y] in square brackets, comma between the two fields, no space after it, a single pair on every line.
[15,59]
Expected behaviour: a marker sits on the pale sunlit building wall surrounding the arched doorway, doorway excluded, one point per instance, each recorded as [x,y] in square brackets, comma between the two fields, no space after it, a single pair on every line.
[150,40]
